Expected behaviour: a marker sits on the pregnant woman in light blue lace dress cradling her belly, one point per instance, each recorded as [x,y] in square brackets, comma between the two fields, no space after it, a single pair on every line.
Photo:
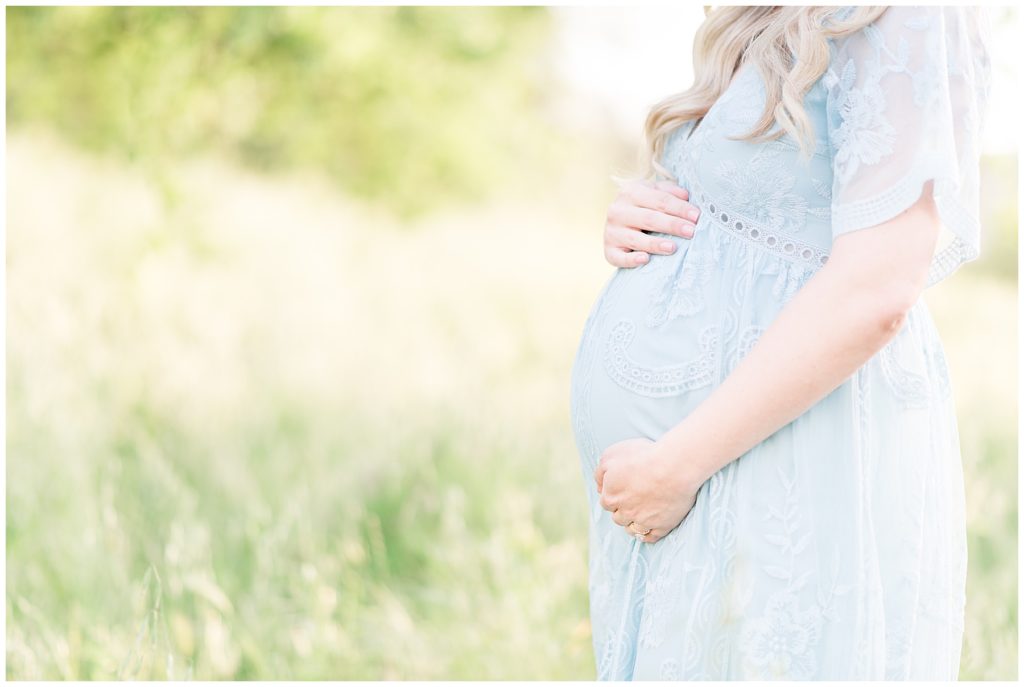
[763,413]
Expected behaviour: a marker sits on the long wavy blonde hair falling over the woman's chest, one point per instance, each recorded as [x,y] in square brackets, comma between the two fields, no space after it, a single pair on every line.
[766,37]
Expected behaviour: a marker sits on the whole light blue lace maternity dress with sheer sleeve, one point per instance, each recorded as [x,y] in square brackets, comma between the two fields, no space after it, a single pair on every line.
[836,549]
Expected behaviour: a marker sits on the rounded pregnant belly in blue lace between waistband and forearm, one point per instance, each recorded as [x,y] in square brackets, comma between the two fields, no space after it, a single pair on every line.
[662,337]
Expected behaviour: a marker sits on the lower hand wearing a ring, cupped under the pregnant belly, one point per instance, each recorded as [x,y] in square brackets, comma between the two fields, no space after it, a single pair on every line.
[641,483]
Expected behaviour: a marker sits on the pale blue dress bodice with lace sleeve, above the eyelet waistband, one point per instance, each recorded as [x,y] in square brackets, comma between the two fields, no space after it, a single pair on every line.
[901,104]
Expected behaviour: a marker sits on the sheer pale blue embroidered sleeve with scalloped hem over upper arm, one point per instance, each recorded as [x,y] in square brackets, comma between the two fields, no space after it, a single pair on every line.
[907,96]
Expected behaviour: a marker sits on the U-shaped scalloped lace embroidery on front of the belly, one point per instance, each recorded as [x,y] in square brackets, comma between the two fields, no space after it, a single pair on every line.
[664,381]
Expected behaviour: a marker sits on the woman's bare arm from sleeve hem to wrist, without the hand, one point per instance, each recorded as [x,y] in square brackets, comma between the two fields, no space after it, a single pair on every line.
[849,311]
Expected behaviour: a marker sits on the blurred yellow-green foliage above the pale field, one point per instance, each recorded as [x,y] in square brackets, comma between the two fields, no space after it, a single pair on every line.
[413,107]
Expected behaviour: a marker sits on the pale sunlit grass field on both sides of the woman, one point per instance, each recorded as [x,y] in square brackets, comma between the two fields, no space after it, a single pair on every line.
[255,432]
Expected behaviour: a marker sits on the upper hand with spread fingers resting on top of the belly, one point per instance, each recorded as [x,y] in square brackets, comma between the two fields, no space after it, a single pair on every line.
[644,206]
